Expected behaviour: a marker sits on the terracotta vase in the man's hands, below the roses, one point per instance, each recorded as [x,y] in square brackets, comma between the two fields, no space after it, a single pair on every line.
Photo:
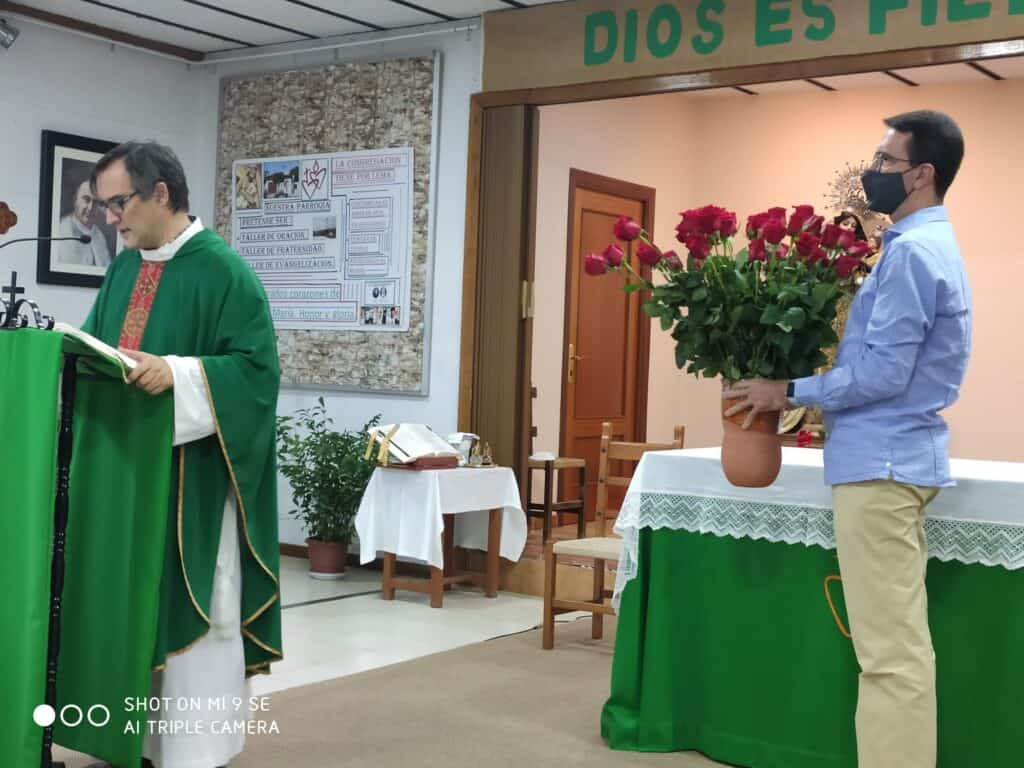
[751,458]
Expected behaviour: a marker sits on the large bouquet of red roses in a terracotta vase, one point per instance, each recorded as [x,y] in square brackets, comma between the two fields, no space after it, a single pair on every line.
[765,311]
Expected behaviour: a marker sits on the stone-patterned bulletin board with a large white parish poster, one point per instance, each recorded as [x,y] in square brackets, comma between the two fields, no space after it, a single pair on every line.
[350,283]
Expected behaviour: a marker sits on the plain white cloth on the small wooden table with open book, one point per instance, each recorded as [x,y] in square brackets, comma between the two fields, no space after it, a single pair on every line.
[402,509]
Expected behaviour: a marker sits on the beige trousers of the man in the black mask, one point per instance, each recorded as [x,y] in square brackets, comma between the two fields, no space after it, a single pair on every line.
[883,557]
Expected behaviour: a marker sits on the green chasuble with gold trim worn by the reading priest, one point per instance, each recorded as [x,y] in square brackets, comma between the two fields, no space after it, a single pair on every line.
[210,306]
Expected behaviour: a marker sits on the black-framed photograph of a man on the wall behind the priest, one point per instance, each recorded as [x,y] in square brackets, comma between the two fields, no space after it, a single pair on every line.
[67,209]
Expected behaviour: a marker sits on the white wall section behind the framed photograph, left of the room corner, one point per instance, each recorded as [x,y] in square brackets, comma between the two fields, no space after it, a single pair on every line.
[59,81]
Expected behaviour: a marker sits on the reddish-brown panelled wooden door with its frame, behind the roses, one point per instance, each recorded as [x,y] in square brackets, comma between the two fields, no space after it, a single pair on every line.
[606,366]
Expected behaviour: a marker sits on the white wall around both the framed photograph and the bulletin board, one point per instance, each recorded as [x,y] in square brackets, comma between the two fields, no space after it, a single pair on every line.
[74,84]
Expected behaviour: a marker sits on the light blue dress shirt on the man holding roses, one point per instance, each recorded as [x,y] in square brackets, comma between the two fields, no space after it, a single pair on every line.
[902,361]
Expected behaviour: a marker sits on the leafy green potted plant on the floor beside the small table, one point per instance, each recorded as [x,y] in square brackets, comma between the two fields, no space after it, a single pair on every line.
[329,473]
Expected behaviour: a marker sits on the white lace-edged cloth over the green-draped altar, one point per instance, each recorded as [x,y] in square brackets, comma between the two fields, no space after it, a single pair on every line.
[982,521]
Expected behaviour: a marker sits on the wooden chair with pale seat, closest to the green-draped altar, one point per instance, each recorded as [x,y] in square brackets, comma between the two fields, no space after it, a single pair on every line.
[601,548]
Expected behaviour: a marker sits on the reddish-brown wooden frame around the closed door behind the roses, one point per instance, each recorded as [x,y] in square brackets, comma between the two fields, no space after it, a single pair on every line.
[609,186]
